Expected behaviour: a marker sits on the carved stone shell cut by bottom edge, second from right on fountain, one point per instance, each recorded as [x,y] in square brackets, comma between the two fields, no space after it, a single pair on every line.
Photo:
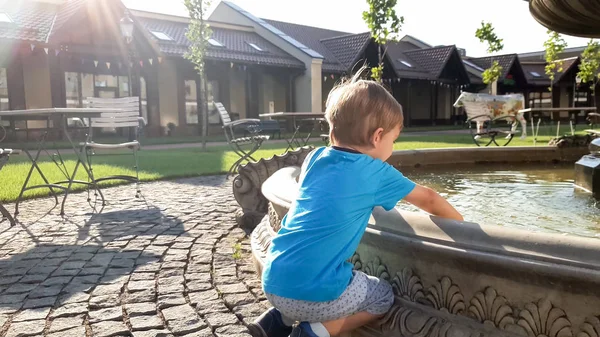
[544,319]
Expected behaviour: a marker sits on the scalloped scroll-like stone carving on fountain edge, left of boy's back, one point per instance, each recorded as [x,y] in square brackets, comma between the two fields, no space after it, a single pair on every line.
[247,184]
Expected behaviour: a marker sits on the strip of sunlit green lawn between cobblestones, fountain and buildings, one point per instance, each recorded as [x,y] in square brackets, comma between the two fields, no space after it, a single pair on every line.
[162,164]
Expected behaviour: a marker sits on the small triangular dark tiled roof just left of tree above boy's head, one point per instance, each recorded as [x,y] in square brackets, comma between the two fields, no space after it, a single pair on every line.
[347,49]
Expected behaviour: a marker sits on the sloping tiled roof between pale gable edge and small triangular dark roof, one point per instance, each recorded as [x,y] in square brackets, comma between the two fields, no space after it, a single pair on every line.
[311,37]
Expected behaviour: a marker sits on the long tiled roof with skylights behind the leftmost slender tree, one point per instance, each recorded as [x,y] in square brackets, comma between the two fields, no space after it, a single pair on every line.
[236,44]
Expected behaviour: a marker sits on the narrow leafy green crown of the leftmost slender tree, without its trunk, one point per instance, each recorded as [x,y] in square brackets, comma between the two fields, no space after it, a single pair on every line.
[198,32]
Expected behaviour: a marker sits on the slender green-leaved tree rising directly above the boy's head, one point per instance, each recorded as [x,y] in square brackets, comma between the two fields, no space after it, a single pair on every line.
[385,26]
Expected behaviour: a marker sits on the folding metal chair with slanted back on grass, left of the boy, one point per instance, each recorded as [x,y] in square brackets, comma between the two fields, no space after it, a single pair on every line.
[244,147]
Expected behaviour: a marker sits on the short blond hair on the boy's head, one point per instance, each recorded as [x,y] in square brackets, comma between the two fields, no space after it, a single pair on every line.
[357,108]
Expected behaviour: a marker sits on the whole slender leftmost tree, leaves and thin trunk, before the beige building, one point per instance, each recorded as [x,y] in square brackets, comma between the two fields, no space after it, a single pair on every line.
[198,34]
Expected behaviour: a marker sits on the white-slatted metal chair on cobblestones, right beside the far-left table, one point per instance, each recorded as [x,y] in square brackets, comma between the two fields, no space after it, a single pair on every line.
[128,118]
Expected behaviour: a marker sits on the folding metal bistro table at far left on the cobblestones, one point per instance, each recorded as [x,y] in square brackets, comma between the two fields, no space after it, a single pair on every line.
[53,114]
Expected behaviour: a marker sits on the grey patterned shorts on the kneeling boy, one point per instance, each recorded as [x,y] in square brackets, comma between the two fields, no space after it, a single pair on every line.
[364,293]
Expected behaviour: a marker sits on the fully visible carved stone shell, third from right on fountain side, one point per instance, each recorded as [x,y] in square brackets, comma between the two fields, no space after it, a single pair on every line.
[491,309]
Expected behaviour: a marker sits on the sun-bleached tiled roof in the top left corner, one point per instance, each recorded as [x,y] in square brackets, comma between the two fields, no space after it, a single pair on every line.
[32,21]
